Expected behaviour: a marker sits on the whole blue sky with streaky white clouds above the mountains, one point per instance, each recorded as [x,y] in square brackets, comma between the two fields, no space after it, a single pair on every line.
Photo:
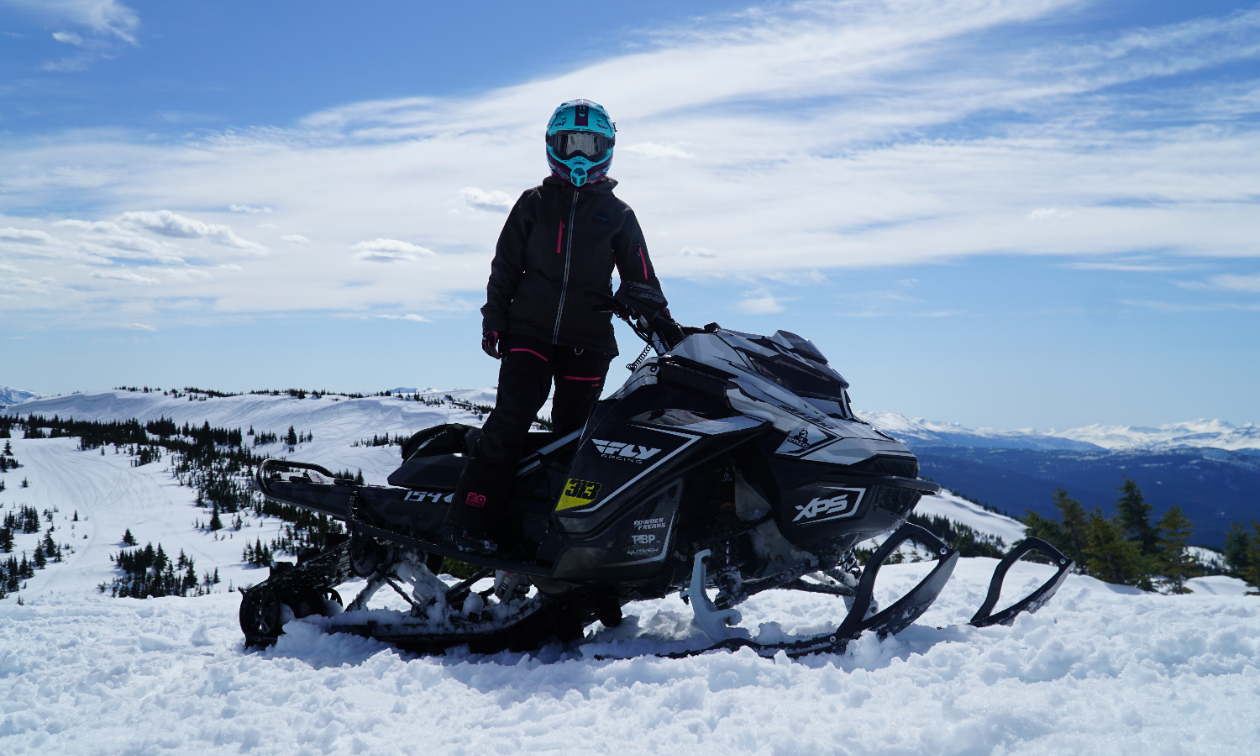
[994,212]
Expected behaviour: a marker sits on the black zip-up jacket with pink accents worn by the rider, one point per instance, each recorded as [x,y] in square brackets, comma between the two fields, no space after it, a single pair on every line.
[558,244]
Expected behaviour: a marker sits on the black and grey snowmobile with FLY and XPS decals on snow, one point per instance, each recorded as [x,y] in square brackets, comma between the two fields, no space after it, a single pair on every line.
[728,463]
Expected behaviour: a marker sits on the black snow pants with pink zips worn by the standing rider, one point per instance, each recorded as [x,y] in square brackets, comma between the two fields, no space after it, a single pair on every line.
[526,375]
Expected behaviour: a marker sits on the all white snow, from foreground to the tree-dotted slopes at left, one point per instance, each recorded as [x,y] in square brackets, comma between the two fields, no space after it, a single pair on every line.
[1102,670]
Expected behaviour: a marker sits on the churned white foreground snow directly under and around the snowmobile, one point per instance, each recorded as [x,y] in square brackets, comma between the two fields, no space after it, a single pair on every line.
[1099,671]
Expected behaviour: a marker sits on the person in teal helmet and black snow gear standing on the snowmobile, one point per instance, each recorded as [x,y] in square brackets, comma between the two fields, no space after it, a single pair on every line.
[560,243]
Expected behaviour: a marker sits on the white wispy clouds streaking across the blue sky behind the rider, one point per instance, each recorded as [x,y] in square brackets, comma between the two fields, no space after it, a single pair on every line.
[763,147]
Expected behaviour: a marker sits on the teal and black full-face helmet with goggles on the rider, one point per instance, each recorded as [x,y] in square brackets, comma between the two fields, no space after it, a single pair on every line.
[580,139]
